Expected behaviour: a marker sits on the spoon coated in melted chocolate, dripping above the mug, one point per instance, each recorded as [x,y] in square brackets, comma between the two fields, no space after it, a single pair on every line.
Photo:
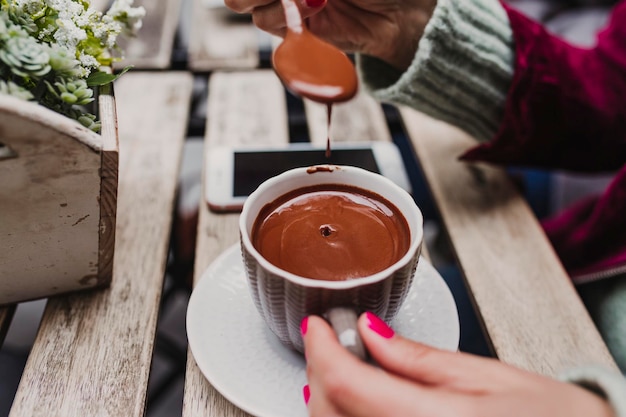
[310,67]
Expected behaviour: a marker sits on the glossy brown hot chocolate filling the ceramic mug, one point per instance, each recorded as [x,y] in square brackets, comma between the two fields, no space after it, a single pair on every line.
[331,232]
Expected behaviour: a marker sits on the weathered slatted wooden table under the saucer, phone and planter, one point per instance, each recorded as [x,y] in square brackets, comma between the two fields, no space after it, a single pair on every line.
[93,351]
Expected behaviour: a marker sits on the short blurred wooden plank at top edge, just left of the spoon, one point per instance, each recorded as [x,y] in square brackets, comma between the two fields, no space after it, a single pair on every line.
[221,40]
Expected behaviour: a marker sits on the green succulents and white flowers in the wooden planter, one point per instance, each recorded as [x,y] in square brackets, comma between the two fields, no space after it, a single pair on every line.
[55,52]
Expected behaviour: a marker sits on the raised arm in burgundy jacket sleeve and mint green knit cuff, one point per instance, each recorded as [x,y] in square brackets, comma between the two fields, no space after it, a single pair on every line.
[498,75]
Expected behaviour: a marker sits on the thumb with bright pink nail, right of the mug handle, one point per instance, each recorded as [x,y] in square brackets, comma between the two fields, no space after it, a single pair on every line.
[428,365]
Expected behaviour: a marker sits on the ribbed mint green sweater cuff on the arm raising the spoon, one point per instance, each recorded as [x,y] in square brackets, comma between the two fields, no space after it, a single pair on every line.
[462,69]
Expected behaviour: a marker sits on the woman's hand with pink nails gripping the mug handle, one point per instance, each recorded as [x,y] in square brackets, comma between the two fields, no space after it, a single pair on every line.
[419,381]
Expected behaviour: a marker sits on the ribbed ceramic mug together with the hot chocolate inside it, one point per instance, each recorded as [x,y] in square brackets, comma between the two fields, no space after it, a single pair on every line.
[328,240]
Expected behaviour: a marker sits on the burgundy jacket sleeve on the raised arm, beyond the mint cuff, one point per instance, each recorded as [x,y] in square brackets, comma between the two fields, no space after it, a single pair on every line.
[566,107]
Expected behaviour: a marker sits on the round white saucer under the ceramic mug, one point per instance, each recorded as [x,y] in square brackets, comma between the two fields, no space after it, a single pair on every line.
[247,364]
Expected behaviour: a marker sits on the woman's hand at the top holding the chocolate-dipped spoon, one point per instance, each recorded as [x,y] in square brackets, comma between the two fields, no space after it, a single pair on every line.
[387,29]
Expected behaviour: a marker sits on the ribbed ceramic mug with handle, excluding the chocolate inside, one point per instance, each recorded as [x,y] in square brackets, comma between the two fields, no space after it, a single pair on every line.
[283,299]
